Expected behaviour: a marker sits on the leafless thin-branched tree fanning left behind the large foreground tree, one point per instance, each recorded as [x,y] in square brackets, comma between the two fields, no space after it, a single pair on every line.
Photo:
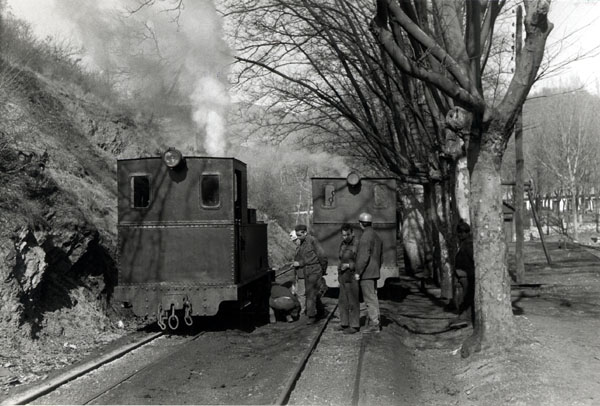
[320,78]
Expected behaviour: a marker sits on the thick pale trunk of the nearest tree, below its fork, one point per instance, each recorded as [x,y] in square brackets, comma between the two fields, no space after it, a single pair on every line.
[493,324]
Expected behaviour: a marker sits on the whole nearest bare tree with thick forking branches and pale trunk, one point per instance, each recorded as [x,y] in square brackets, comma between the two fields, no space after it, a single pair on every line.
[456,39]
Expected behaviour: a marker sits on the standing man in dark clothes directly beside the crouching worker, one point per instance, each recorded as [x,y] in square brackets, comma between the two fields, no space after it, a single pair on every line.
[310,261]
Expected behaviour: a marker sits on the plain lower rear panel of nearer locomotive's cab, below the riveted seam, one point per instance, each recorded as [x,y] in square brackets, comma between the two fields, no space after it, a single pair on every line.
[198,254]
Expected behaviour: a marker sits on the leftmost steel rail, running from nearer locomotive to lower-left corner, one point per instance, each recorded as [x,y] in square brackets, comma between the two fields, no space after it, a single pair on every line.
[52,384]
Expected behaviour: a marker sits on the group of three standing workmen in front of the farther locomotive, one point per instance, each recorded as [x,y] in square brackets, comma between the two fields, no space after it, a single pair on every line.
[358,269]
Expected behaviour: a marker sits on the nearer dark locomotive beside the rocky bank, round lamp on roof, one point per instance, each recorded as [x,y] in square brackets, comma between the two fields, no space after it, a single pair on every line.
[187,240]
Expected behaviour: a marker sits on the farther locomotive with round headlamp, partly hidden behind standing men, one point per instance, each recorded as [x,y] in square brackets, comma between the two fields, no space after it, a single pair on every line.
[335,202]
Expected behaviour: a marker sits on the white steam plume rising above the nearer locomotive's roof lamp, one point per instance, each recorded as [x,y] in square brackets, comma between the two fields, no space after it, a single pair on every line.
[159,62]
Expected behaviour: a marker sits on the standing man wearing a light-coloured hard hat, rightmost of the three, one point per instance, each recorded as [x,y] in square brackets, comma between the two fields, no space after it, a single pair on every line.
[367,269]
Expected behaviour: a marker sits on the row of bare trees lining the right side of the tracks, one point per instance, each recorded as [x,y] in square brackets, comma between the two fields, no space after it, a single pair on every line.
[401,86]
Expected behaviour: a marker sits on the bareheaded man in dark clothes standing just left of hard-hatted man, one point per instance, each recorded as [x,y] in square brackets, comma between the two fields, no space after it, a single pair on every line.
[348,302]
